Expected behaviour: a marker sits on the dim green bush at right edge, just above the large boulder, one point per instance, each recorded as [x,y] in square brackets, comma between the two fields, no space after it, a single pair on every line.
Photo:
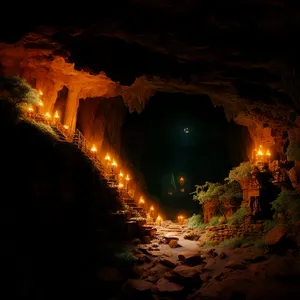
[288,203]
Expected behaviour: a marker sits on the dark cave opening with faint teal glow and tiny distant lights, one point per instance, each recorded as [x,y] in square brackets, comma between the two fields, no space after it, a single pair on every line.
[179,141]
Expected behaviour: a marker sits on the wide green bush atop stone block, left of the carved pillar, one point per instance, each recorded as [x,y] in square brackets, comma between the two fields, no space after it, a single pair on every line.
[217,191]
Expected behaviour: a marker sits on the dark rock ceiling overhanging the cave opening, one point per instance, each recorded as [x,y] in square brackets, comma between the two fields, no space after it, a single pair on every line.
[243,54]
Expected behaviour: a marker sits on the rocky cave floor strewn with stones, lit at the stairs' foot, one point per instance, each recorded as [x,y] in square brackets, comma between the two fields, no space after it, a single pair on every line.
[171,267]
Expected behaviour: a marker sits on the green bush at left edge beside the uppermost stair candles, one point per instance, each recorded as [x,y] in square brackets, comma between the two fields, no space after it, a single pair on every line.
[17,90]
